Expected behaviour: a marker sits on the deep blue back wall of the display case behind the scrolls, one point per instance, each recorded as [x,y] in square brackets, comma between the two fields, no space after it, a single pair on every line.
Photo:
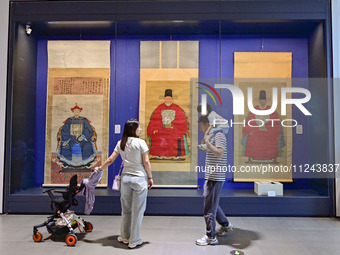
[216,60]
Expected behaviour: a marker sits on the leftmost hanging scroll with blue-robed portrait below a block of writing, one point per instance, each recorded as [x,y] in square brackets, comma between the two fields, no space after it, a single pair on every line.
[77,109]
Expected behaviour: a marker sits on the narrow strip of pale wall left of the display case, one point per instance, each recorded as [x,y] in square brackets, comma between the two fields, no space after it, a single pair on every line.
[4,13]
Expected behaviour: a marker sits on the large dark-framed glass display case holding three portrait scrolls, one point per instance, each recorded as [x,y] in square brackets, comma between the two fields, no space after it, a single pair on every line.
[191,48]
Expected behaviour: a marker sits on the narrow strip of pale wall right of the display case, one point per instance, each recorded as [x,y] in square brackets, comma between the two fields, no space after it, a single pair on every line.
[336,75]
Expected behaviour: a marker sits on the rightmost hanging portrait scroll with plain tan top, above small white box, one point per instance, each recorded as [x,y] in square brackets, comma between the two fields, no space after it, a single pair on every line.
[261,142]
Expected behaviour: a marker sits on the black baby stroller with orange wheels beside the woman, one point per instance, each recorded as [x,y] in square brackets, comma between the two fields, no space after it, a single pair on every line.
[64,221]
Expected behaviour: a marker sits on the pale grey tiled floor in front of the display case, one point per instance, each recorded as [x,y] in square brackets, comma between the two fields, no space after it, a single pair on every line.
[170,235]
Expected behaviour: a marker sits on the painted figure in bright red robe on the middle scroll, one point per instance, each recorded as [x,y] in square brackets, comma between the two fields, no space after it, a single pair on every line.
[167,129]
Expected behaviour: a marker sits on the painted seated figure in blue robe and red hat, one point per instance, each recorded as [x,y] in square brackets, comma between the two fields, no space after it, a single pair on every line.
[76,141]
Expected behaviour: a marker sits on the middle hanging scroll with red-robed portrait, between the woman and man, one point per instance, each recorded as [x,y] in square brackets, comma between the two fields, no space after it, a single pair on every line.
[167,109]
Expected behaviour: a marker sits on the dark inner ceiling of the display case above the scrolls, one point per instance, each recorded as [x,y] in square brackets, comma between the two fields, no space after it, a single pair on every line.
[172,27]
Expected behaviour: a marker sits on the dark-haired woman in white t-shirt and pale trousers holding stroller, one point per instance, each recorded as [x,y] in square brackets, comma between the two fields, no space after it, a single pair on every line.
[136,179]
